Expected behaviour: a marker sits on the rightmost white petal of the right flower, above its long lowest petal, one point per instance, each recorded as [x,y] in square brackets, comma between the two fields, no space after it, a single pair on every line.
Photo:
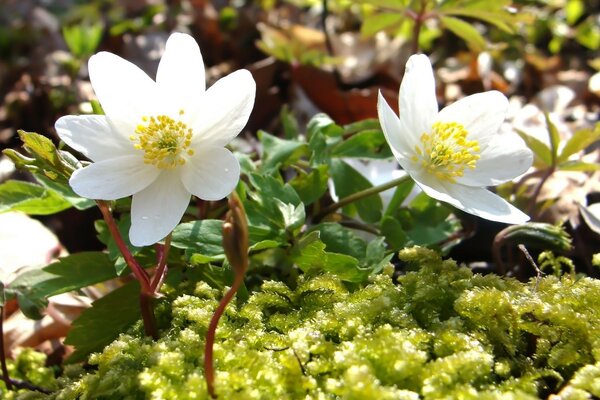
[505,158]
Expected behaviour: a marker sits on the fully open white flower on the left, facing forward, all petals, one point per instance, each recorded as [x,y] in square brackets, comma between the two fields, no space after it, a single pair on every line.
[160,141]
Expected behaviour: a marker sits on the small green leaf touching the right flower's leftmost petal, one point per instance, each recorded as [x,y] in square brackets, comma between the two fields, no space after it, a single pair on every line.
[365,144]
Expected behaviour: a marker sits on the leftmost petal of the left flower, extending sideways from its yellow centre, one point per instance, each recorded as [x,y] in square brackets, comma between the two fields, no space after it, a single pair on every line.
[92,136]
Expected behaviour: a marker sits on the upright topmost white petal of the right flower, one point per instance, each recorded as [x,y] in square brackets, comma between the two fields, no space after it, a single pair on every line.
[418,103]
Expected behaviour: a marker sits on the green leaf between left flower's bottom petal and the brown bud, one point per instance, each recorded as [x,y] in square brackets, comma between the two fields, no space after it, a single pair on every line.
[200,238]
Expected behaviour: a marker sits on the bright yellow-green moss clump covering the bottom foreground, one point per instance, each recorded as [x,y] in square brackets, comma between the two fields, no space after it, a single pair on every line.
[439,332]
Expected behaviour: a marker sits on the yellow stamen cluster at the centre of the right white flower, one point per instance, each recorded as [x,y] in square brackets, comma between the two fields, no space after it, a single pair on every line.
[446,152]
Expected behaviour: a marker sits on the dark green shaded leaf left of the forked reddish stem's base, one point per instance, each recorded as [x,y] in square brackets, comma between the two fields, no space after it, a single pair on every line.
[108,317]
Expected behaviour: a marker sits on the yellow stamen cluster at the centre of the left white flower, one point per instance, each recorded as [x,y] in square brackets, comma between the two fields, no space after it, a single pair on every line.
[165,141]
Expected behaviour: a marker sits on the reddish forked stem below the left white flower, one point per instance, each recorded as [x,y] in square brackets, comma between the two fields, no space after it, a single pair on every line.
[147,292]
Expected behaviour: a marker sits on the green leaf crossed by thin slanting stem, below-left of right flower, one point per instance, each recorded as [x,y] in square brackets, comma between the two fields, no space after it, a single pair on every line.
[348,181]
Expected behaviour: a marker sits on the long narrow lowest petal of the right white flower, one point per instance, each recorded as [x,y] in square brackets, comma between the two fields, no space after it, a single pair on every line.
[473,200]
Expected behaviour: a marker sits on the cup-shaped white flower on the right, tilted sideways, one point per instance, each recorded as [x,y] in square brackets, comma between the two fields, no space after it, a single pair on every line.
[454,154]
